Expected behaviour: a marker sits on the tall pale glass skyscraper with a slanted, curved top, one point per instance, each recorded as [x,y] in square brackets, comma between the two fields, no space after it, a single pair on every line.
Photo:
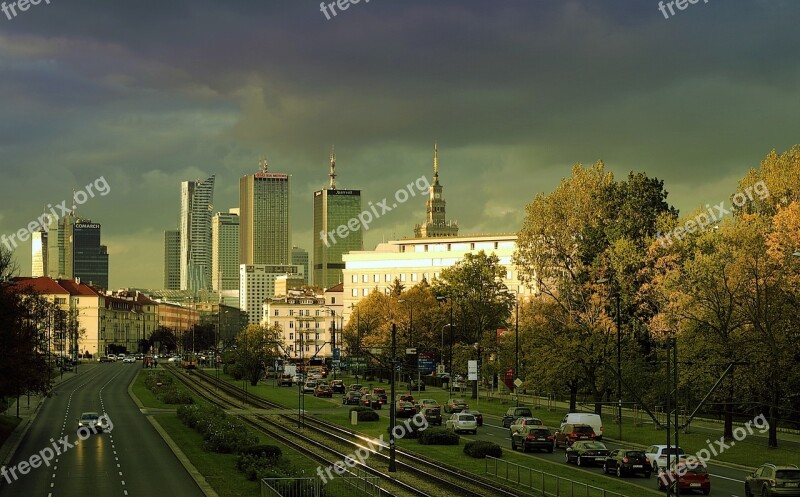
[197,198]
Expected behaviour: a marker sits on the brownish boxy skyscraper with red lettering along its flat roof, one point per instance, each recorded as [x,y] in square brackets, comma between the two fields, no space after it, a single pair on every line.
[264,218]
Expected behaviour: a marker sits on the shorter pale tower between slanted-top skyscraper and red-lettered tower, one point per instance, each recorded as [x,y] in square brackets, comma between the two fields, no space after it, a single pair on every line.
[225,250]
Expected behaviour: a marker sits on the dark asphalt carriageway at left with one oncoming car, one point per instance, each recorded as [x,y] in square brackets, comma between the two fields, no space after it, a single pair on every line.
[131,459]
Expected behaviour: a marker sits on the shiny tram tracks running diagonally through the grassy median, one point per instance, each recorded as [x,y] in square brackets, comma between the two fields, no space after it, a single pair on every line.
[413,477]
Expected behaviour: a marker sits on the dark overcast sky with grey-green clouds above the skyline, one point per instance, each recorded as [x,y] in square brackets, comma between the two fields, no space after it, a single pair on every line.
[150,93]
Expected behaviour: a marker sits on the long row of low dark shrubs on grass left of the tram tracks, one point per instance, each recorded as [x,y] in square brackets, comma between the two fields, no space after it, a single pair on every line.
[221,433]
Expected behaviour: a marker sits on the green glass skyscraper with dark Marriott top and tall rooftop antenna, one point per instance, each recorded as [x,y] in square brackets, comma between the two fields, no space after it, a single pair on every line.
[334,208]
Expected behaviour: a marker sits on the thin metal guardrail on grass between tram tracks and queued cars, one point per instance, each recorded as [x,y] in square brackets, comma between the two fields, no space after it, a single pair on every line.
[545,483]
